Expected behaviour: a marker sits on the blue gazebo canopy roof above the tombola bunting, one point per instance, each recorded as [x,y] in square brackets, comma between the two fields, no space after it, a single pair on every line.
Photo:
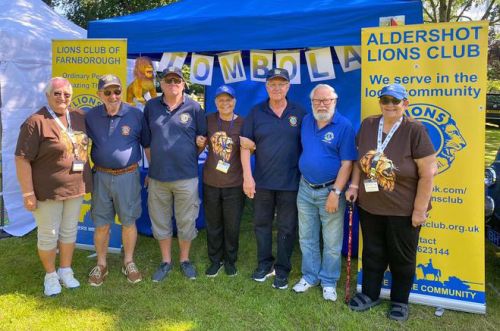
[220,25]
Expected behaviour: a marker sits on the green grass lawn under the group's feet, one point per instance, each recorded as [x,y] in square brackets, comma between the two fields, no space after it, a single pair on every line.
[221,303]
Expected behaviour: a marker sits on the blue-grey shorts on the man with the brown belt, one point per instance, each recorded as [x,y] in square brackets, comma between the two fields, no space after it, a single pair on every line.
[116,195]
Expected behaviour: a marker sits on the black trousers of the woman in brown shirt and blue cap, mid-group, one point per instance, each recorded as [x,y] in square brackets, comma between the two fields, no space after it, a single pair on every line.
[223,210]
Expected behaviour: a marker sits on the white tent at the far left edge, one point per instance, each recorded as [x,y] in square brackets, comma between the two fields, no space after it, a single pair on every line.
[27,28]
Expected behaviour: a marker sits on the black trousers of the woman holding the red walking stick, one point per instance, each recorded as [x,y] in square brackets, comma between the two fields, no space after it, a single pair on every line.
[388,241]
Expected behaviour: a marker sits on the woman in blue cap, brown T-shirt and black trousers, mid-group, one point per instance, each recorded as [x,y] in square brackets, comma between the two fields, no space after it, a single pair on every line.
[222,183]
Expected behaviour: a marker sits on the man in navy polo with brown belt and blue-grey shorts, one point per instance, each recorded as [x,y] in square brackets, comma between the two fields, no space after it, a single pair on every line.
[117,131]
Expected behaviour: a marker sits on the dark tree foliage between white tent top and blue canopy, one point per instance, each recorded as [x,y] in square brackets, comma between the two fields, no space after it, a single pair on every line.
[83,11]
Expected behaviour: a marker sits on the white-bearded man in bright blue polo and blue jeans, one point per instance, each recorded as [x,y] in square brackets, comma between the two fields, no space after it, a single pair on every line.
[328,149]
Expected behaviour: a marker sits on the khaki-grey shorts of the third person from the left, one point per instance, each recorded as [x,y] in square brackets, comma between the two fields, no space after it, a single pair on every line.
[164,197]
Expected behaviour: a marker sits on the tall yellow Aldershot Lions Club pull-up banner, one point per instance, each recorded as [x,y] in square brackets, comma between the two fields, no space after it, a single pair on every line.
[443,66]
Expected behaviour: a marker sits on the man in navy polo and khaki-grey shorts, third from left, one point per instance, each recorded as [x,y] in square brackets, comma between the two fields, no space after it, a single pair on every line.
[175,121]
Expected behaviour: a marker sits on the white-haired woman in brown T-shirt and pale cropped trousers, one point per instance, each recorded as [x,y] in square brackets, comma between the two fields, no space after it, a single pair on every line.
[51,160]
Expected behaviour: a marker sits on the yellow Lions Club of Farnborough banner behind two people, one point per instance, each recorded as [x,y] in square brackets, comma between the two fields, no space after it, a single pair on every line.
[82,62]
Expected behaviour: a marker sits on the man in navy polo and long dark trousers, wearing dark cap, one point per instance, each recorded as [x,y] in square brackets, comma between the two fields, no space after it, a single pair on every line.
[274,127]
